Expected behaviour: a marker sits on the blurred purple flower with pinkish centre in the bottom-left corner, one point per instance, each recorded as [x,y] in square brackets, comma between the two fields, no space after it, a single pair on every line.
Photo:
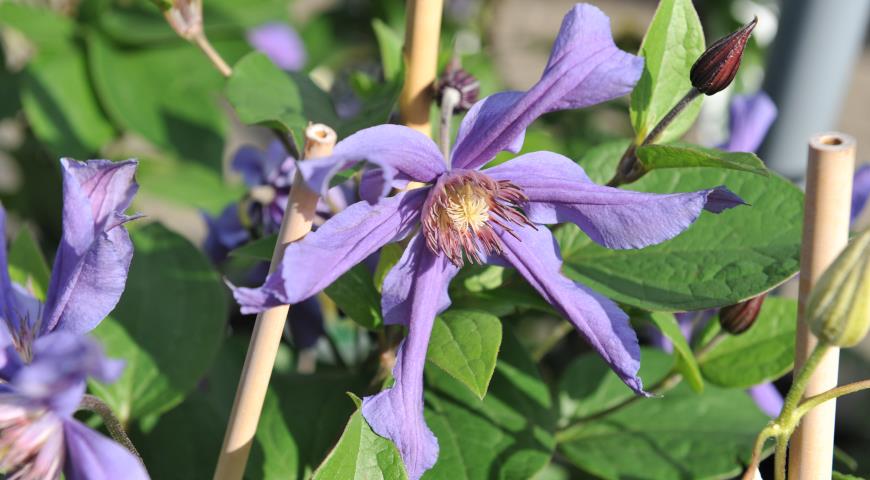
[39,437]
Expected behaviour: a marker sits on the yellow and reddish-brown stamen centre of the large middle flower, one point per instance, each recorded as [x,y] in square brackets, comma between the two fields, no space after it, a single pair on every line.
[462,210]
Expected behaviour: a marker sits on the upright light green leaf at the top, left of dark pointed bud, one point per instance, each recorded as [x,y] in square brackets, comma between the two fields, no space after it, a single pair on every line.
[674,40]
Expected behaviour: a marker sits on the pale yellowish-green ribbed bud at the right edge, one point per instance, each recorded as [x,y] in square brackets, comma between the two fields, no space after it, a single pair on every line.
[838,311]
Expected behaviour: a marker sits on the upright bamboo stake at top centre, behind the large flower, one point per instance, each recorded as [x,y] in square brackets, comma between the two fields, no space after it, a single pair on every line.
[422,31]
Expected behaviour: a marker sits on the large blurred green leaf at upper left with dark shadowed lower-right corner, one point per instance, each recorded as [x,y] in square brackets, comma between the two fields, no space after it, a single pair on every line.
[170,95]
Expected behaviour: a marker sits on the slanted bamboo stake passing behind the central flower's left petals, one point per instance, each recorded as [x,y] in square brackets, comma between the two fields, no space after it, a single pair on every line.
[269,326]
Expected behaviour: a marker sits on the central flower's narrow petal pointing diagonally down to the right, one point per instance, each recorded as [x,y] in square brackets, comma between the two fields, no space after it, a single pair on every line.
[535,254]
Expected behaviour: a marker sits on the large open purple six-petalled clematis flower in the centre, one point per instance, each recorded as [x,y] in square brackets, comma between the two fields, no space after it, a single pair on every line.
[496,215]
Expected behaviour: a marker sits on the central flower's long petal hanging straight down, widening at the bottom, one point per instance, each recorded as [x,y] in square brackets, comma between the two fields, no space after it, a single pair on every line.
[397,412]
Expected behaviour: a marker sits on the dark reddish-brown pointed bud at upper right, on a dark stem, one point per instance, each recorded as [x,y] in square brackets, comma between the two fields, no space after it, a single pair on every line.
[715,68]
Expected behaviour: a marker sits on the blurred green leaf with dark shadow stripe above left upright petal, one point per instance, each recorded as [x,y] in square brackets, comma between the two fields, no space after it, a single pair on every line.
[60,104]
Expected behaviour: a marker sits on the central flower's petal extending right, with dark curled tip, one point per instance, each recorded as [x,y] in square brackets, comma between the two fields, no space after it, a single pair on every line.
[559,191]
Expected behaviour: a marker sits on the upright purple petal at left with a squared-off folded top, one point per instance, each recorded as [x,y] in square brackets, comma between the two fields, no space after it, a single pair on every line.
[90,269]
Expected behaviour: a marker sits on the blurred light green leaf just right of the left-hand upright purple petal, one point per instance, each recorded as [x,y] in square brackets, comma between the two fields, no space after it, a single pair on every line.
[186,183]
